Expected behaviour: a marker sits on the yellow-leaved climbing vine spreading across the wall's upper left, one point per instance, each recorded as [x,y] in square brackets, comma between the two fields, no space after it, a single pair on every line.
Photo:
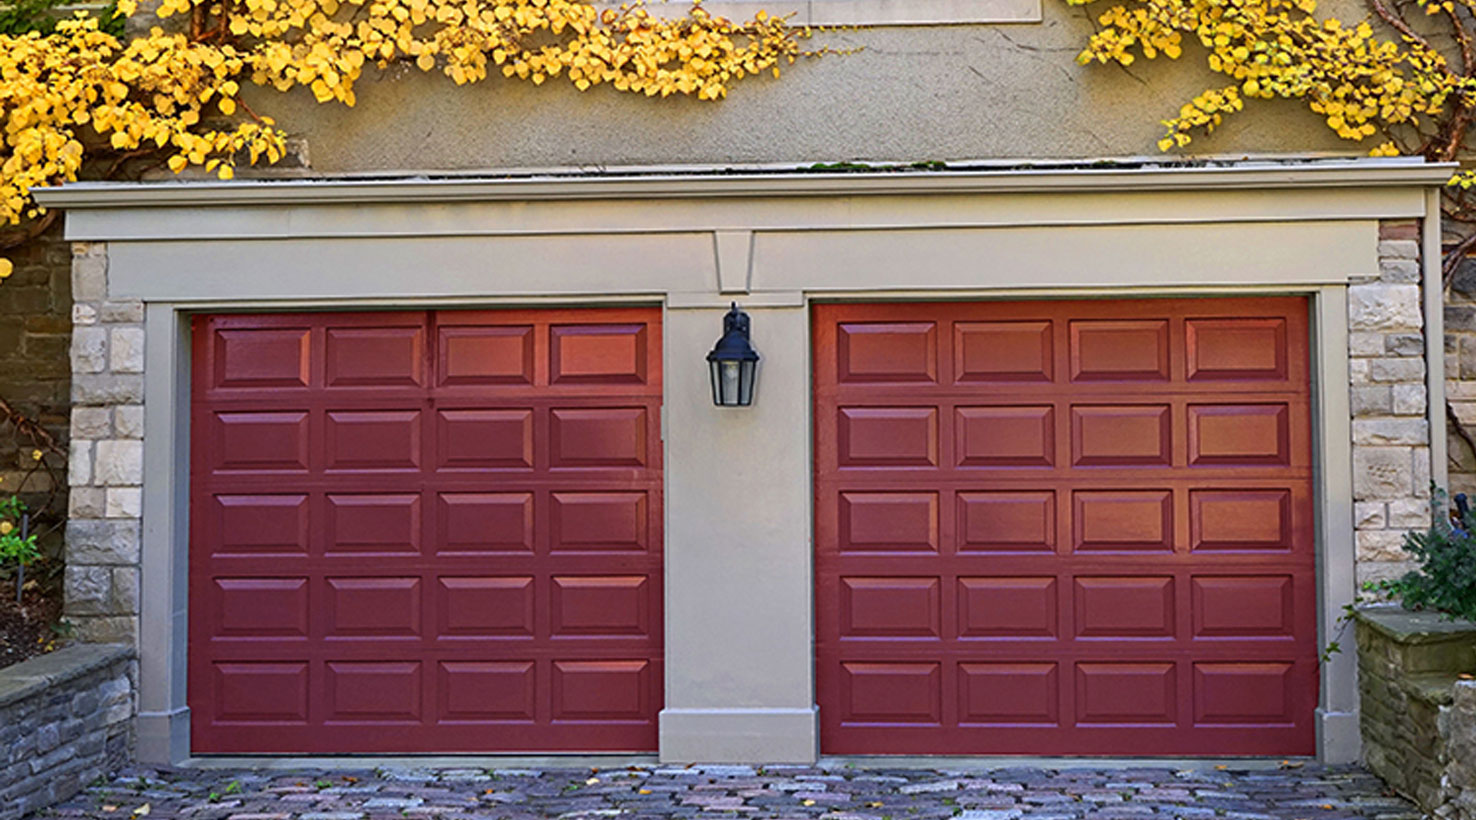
[80,98]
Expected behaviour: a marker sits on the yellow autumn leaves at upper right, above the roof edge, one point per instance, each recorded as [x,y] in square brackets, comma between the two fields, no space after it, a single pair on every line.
[1363,86]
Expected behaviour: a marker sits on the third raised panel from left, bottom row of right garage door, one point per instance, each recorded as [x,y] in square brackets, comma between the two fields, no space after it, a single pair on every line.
[1127,694]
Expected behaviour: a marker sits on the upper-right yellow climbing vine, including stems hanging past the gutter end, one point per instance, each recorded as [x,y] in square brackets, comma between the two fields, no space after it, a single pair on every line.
[1385,83]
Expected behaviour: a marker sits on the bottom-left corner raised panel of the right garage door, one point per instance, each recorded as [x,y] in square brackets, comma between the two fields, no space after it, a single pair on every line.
[879,692]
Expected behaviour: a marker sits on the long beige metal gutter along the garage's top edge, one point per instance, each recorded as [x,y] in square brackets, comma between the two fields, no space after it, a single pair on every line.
[1266,176]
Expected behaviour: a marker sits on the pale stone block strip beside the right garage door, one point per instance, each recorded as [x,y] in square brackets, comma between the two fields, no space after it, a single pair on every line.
[1388,403]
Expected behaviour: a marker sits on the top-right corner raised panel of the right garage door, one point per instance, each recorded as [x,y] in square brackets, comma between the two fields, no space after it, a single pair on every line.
[1236,349]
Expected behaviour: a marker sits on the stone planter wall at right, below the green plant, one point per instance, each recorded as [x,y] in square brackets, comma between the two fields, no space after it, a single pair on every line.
[1418,713]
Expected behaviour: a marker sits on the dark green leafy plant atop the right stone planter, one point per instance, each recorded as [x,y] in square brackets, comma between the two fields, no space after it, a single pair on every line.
[1446,577]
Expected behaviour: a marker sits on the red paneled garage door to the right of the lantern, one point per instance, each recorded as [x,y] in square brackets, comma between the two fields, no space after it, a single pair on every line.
[1065,529]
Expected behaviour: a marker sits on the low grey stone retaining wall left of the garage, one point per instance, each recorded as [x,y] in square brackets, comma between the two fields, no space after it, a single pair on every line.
[66,720]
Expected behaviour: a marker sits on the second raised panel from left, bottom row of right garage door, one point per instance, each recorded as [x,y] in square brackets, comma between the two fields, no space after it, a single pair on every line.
[1009,694]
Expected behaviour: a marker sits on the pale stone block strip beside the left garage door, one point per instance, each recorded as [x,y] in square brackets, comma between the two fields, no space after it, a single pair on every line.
[107,455]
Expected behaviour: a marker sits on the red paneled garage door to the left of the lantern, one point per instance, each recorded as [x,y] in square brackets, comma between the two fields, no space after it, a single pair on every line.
[426,532]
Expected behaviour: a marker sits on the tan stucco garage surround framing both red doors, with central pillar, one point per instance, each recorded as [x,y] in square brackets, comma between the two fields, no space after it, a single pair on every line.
[739,577]
